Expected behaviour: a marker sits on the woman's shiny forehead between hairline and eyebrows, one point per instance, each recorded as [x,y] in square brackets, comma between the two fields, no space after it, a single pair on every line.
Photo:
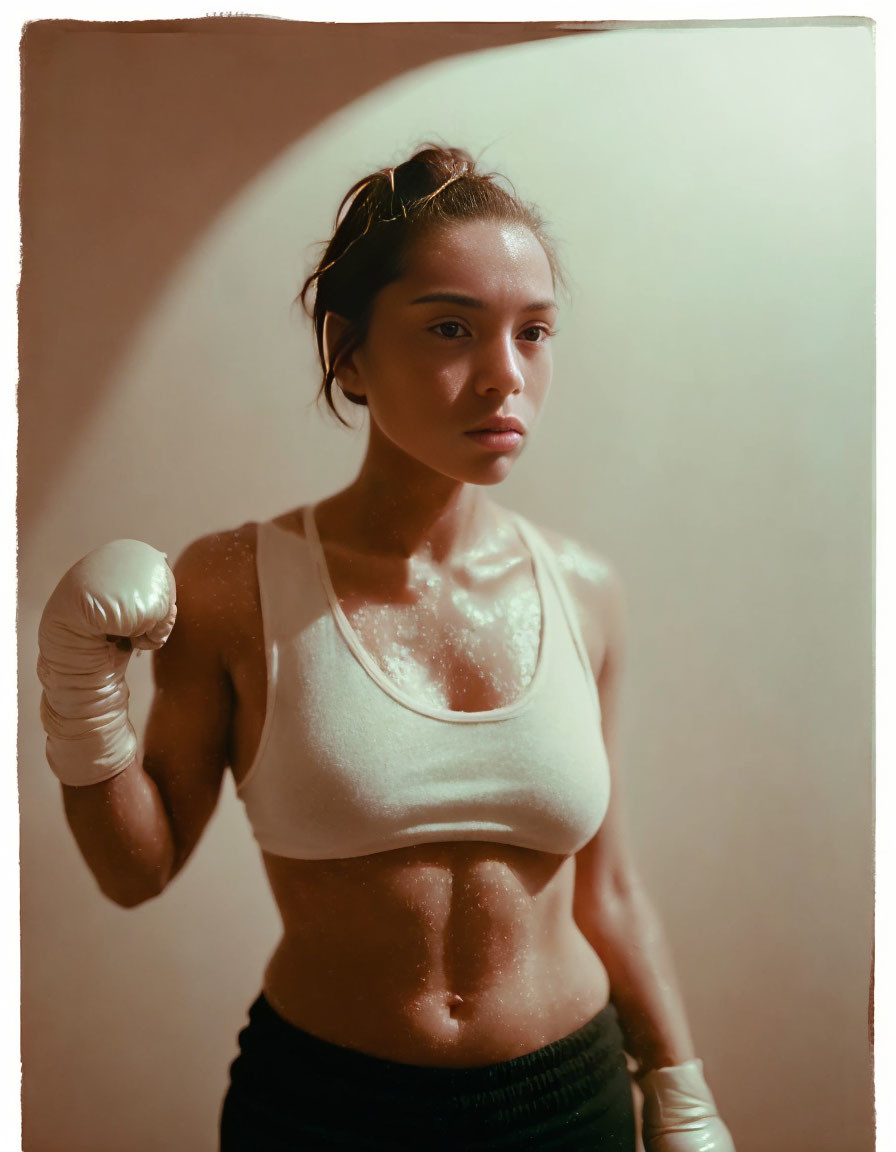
[479,257]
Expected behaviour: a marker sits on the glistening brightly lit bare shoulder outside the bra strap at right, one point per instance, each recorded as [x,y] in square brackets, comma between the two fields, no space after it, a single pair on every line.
[597,593]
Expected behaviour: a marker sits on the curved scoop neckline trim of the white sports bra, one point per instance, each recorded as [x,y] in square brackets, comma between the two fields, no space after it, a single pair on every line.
[385,683]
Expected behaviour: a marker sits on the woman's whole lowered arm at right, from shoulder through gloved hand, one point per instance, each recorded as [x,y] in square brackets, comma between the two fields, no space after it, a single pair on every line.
[618,919]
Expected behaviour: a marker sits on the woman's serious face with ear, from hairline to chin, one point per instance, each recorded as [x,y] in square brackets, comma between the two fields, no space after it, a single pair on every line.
[458,362]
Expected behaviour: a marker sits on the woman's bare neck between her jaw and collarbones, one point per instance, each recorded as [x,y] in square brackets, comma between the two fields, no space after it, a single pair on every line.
[406,510]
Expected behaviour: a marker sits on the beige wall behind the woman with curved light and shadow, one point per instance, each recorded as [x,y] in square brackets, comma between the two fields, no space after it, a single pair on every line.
[710,431]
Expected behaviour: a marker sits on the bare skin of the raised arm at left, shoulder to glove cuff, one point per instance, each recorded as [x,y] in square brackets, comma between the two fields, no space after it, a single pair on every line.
[136,830]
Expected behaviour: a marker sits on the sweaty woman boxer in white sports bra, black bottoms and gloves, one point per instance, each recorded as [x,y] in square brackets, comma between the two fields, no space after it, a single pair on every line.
[416,693]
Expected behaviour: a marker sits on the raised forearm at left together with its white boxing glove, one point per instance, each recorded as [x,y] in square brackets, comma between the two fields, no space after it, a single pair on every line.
[117,598]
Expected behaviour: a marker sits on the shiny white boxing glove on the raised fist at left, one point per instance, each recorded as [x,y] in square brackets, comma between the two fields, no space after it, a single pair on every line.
[124,589]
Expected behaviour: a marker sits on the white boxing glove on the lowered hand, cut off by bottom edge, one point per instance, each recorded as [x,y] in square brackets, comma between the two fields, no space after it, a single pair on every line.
[680,1113]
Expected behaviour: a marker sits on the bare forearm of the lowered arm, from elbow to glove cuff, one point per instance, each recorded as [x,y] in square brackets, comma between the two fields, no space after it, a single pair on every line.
[626,933]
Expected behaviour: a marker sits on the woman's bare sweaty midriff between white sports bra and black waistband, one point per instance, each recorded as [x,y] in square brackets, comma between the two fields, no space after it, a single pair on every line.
[444,954]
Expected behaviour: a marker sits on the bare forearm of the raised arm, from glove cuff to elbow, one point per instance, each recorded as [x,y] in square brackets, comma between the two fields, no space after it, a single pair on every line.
[125,835]
